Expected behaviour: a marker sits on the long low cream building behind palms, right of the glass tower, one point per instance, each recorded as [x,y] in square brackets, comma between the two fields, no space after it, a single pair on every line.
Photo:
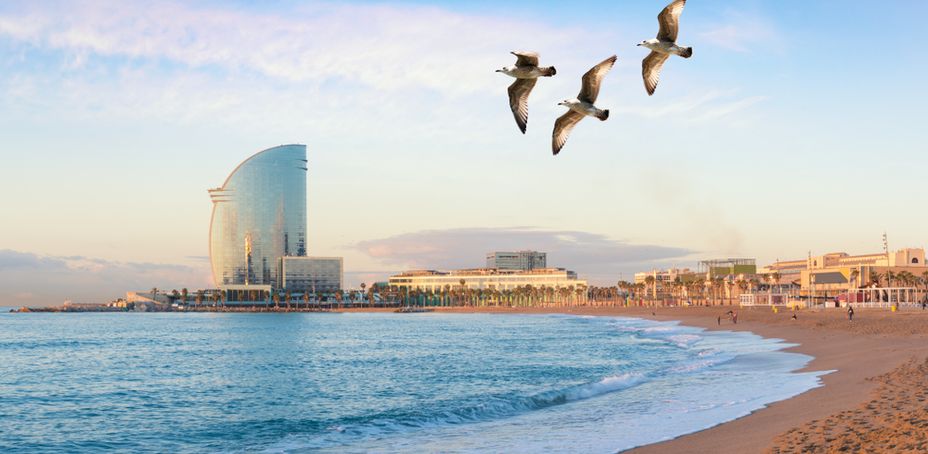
[486,279]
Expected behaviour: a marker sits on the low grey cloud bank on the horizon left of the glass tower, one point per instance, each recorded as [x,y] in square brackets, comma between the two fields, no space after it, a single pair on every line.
[27,278]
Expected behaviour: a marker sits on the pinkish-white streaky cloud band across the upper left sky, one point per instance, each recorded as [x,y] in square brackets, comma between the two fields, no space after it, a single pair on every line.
[378,46]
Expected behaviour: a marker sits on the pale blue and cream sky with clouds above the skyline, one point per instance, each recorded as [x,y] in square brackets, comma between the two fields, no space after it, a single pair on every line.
[796,126]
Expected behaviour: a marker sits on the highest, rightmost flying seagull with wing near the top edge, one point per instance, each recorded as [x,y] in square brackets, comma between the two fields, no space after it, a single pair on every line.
[664,45]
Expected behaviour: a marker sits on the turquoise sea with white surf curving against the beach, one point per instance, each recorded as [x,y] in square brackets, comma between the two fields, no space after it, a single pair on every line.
[374,382]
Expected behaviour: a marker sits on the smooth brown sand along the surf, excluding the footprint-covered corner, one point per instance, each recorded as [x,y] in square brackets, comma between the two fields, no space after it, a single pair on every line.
[877,342]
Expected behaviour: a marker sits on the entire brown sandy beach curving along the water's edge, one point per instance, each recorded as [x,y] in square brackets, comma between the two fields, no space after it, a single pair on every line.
[874,401]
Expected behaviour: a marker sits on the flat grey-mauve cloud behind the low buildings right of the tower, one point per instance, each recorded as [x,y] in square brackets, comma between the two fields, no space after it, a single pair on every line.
[594,256]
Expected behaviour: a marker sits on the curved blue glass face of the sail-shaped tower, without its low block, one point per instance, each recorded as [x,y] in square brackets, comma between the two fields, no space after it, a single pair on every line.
[259,215]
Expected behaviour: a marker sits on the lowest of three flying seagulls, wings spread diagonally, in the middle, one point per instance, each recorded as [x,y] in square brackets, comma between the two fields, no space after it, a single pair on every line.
[582,105]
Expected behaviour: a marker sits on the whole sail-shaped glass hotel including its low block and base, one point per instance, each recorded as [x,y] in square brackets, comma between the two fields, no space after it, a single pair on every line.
[257,239]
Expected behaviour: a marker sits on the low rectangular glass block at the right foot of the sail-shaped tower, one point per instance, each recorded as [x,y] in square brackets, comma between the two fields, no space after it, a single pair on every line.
[311,274]
